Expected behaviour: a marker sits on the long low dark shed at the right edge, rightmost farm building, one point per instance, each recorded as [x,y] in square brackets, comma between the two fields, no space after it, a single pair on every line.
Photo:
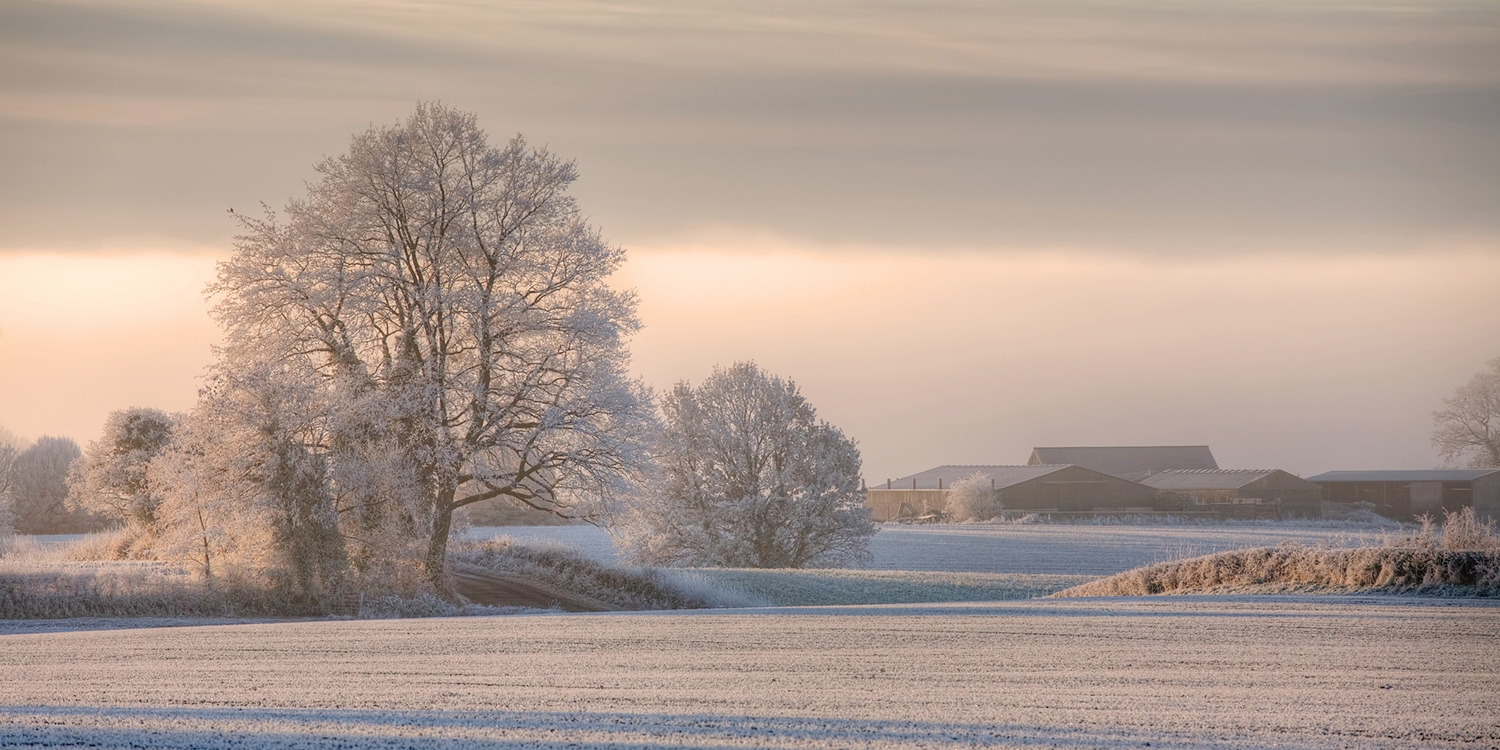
[1418,493]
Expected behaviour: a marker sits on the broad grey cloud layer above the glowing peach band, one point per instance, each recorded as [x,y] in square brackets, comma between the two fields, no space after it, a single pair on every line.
[1139,127]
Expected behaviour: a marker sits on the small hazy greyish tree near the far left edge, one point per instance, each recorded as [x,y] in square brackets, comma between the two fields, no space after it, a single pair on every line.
[40,490]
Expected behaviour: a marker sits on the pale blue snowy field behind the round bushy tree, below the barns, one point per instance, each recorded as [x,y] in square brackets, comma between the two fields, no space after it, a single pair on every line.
[976,548]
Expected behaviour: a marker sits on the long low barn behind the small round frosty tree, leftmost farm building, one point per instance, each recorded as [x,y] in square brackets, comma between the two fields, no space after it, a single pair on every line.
[1033,488]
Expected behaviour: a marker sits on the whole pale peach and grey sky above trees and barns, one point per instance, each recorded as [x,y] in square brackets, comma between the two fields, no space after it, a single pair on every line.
[964,229]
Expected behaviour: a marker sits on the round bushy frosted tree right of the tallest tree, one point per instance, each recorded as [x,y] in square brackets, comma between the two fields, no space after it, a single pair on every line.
[749,478]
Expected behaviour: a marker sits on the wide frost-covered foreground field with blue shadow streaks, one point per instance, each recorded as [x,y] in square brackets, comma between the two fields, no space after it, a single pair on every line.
[1180,673]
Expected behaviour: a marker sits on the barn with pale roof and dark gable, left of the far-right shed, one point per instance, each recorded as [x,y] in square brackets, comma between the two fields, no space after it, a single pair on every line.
[1244,493]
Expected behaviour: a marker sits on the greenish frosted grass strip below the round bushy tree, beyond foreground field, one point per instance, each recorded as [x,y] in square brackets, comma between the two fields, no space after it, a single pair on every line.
[868,587]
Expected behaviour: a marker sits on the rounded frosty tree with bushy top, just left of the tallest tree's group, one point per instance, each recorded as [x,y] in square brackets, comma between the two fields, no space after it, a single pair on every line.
[110,479]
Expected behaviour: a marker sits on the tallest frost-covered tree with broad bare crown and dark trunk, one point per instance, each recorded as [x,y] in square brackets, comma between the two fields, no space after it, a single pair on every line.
[451,308]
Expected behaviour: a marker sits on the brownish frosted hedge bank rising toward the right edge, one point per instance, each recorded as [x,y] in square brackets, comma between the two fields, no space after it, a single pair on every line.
[1463,559]
